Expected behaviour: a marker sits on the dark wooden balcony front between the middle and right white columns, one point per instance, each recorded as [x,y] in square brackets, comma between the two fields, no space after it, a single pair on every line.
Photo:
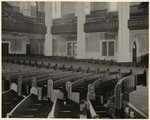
[101,25]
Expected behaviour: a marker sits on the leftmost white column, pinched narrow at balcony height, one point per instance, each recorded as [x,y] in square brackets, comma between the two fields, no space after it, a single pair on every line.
[48,23]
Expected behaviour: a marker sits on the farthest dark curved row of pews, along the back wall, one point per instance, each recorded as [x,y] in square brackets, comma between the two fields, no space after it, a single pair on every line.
[72,59]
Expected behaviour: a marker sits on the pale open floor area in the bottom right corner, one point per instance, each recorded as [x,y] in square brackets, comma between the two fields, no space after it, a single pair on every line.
[139,98]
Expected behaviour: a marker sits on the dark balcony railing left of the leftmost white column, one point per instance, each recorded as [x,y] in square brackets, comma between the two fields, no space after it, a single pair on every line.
[21,26]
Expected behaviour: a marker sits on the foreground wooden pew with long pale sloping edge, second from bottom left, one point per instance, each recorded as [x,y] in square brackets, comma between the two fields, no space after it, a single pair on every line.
[28,102]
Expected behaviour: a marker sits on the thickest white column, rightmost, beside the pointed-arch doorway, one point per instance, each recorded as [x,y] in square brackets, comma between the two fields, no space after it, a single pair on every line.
[123,32]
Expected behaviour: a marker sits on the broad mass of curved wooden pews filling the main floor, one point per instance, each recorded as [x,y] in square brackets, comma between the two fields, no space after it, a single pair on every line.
[33,90]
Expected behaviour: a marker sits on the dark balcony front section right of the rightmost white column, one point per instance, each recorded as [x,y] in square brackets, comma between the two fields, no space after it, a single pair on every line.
[139,22]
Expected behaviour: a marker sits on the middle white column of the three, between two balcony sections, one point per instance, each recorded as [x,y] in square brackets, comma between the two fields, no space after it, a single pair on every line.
[80,30]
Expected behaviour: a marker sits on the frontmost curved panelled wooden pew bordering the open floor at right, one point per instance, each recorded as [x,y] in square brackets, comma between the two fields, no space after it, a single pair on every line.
[124,108]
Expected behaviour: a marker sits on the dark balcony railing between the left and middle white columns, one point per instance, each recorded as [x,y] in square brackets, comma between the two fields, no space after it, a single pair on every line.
[63,29]
